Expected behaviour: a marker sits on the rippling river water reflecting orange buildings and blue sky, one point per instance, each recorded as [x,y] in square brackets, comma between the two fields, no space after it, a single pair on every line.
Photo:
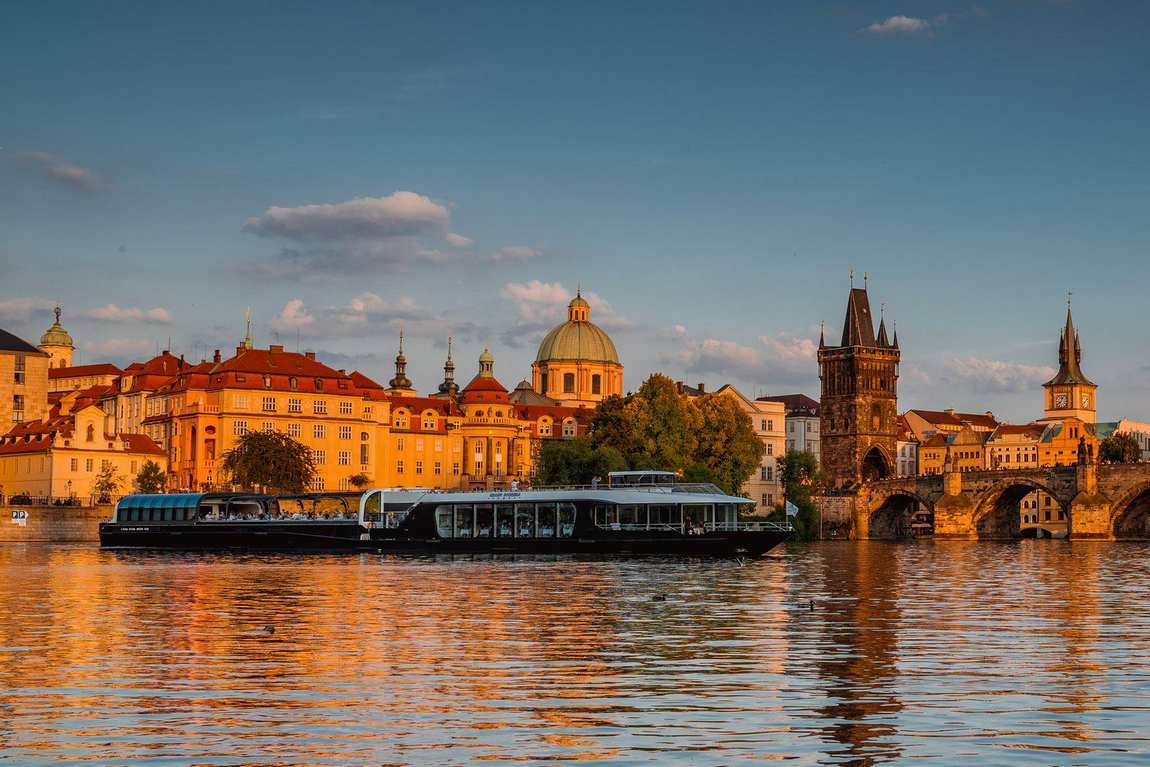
[1033,653]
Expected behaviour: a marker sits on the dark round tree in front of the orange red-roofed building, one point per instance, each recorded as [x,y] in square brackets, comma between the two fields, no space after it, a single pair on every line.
[271,461]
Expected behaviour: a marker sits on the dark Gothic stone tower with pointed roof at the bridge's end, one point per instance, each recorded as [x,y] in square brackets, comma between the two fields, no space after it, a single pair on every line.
[860,408]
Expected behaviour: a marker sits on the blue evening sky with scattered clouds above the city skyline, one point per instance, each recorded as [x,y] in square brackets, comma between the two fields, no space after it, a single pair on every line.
[708,172]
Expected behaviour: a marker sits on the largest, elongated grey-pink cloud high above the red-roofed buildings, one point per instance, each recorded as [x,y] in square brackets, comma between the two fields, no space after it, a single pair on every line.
[396,216]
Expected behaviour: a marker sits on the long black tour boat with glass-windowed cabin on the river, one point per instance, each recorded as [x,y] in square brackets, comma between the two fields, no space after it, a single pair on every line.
[635,513]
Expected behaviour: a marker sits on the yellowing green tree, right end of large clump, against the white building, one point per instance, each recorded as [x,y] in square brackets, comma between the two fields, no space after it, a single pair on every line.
[725,441]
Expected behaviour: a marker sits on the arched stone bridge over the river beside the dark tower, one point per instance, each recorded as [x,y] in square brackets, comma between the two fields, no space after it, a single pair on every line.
[1108,502]
